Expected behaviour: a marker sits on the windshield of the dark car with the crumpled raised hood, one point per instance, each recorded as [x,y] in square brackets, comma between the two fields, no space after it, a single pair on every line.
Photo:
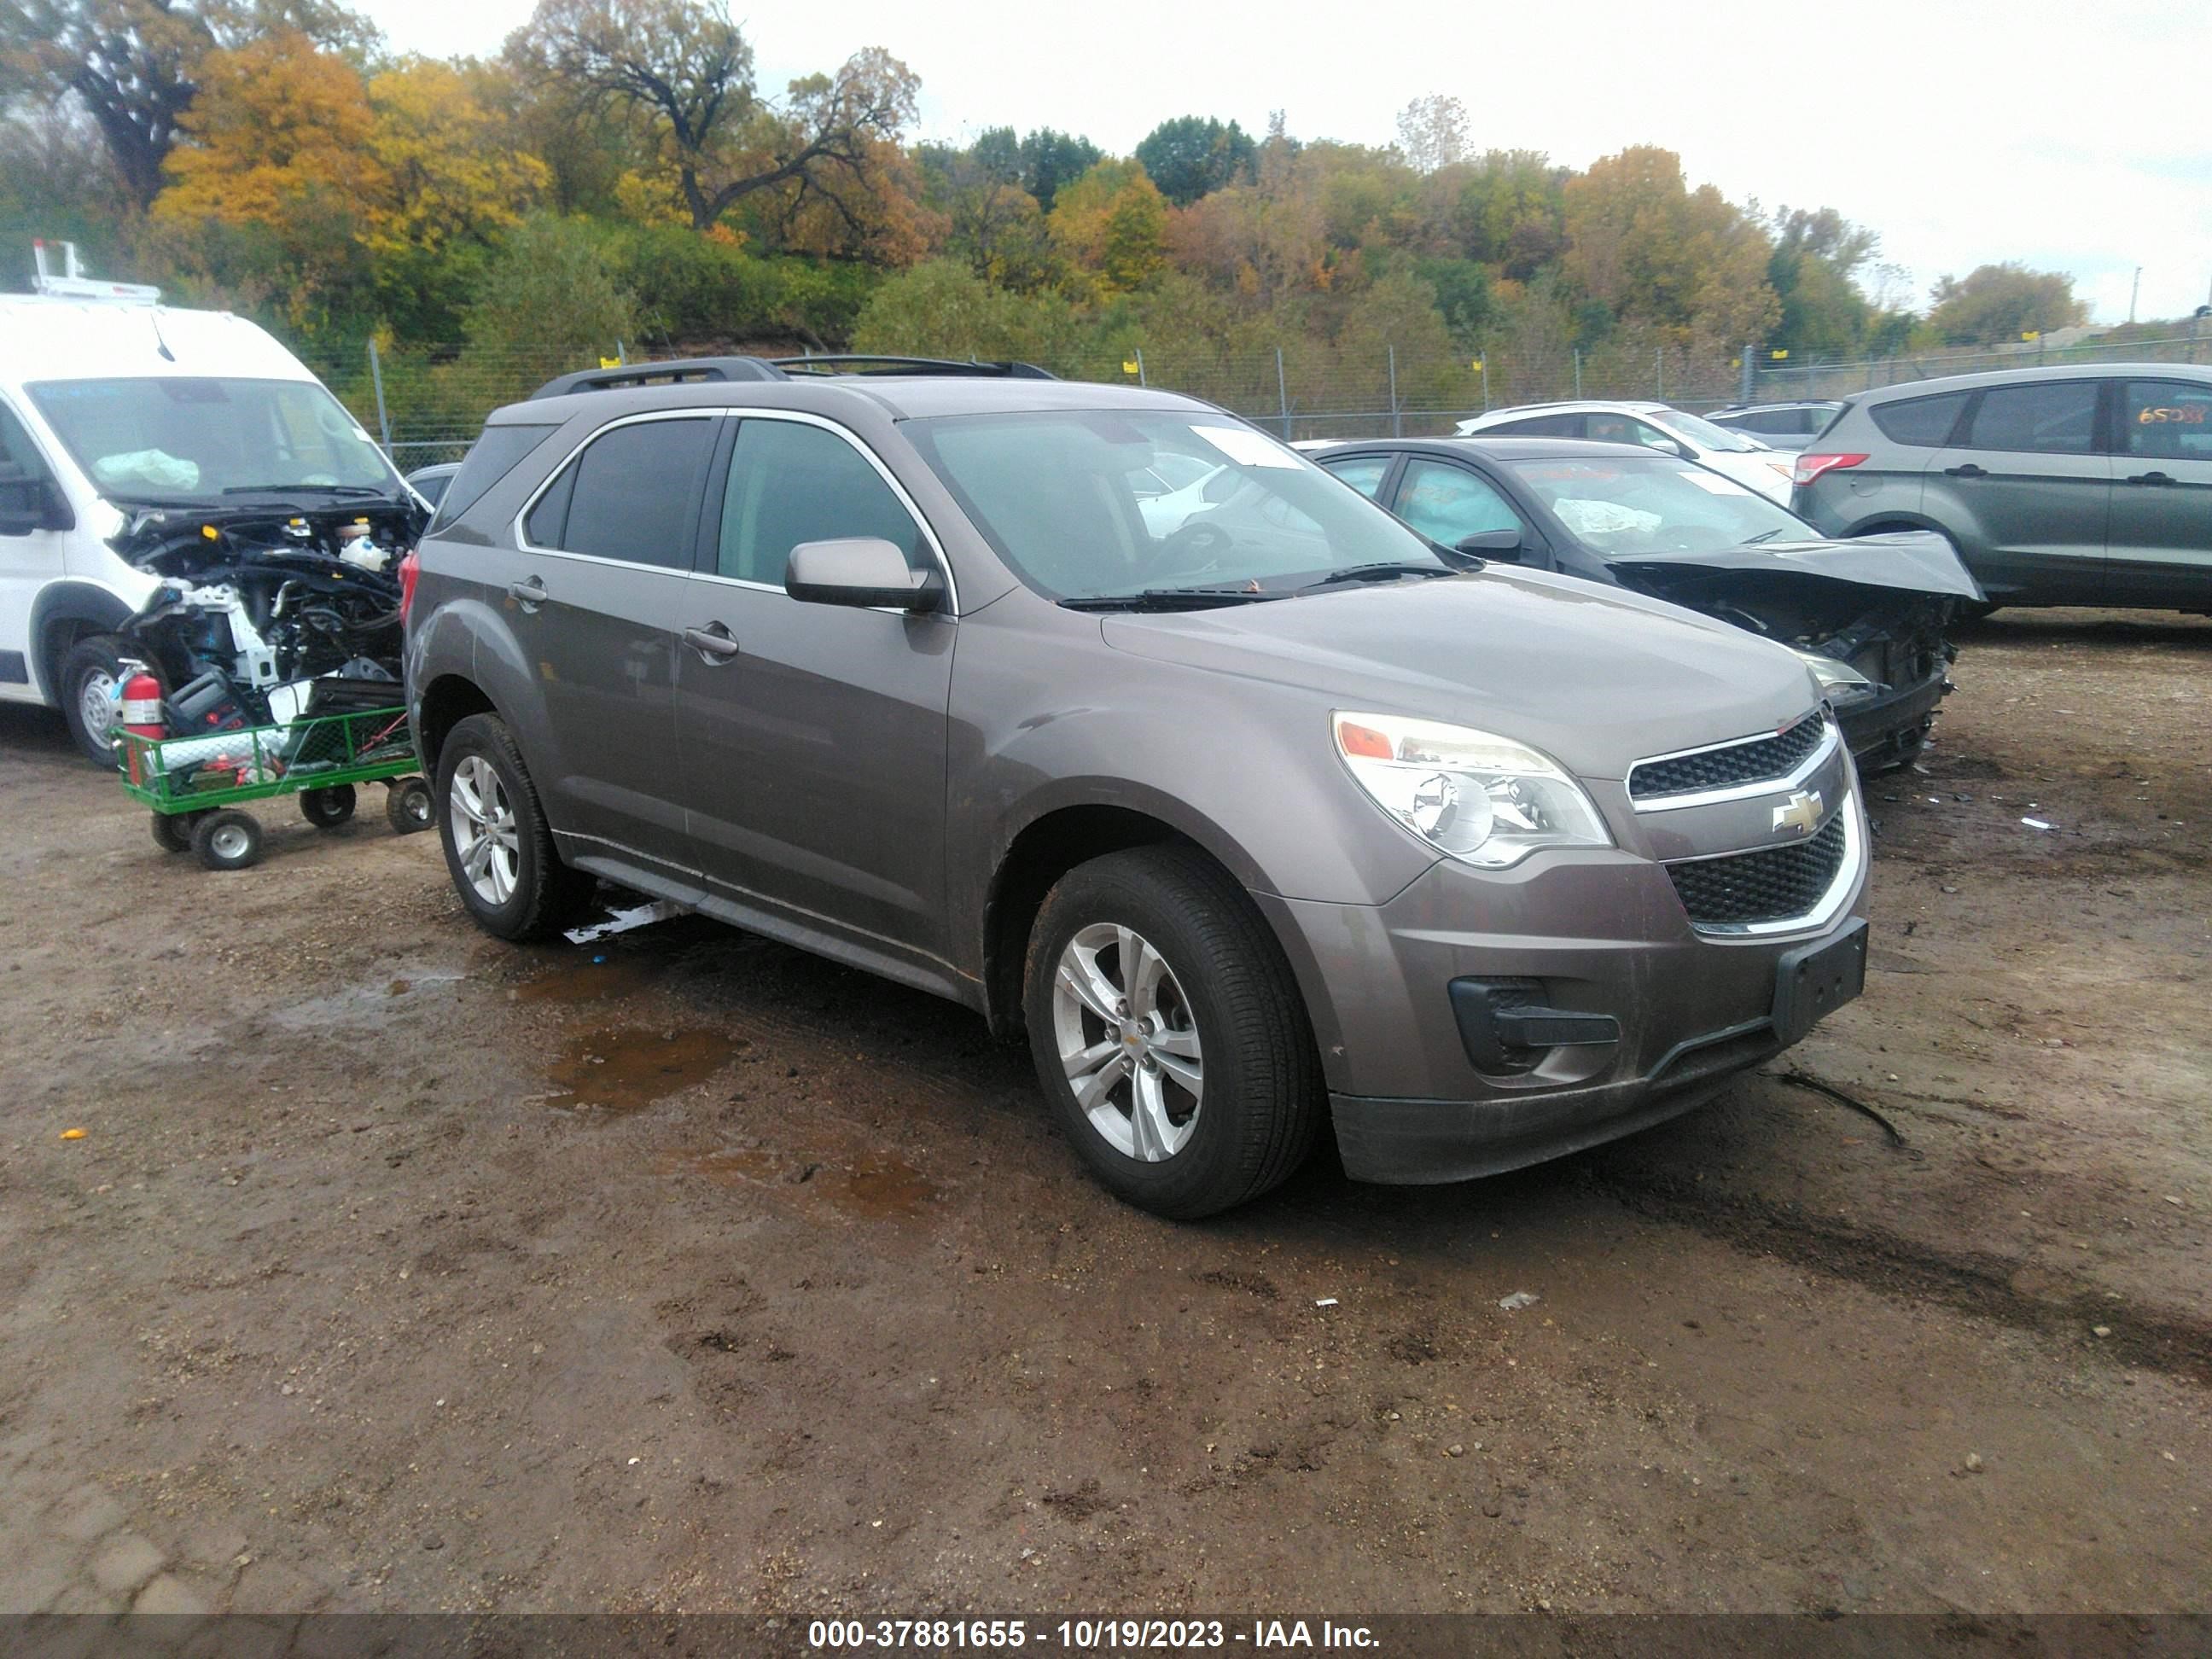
[1656,505]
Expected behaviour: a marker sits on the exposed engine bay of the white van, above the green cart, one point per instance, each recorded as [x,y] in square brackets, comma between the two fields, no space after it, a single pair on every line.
[262,609]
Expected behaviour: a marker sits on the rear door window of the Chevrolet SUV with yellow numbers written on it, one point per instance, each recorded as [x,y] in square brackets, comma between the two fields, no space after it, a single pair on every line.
[629,497]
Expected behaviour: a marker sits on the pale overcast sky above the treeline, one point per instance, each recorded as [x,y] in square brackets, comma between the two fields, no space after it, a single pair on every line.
[1965,132]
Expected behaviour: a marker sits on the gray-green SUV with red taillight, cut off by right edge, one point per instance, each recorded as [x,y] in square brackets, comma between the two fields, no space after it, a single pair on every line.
[2067,486]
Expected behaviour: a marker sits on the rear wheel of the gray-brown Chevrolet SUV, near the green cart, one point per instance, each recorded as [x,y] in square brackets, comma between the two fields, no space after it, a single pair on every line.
[499,846]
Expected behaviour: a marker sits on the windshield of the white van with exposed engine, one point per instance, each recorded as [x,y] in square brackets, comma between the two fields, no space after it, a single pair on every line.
[191,439]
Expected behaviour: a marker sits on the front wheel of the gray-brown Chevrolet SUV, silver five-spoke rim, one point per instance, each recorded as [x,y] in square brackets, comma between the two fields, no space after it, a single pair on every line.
[1169,1032]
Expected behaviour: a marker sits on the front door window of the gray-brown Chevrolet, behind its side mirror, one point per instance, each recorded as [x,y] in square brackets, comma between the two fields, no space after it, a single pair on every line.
[793,483]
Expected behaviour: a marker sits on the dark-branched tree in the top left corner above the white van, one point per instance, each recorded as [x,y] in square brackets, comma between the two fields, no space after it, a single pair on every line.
[134,65]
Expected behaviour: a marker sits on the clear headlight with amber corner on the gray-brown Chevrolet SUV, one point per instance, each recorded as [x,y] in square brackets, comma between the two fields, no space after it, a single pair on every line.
[1483,800]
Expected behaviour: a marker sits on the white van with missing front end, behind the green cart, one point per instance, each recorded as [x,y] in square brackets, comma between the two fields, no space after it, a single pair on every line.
[143,444]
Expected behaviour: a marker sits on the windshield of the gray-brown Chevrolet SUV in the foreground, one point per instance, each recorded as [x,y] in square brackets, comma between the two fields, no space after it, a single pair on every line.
[1072,501]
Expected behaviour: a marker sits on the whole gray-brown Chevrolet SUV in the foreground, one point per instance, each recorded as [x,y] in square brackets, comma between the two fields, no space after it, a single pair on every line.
[1249,806]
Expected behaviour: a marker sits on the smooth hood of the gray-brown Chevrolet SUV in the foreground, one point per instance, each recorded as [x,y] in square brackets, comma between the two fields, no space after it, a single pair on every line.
[1592,676]
